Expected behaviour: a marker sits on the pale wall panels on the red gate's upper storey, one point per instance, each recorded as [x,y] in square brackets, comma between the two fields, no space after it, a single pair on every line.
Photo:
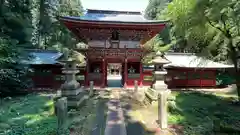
[100,43]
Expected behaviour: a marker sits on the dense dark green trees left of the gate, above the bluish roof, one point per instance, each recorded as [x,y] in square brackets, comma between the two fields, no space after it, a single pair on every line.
[30,24]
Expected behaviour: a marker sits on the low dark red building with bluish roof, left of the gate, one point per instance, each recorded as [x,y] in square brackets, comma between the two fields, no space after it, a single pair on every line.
[47,70]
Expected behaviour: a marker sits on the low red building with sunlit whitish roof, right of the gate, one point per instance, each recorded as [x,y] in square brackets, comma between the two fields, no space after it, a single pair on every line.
[188,70]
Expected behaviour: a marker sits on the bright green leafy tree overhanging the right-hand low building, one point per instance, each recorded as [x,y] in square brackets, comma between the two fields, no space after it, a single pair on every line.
[211,25]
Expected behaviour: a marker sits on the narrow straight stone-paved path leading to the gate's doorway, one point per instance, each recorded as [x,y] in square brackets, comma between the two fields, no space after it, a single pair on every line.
[115,124]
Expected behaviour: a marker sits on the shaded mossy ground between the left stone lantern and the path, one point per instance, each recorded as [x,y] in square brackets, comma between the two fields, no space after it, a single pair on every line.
[90,119]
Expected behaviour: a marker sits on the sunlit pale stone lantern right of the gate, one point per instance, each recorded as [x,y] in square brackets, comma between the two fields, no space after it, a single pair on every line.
[159,72]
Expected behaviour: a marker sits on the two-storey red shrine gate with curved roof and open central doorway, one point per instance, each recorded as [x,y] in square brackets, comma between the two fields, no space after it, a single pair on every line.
[113,37]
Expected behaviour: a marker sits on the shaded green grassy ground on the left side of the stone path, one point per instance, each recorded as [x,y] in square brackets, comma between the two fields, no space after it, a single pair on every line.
[33,114]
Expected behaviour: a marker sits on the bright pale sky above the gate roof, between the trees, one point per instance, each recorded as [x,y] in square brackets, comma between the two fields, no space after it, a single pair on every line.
[122,5]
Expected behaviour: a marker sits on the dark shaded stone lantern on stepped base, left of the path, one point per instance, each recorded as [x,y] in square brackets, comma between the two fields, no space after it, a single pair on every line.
[71,88]
